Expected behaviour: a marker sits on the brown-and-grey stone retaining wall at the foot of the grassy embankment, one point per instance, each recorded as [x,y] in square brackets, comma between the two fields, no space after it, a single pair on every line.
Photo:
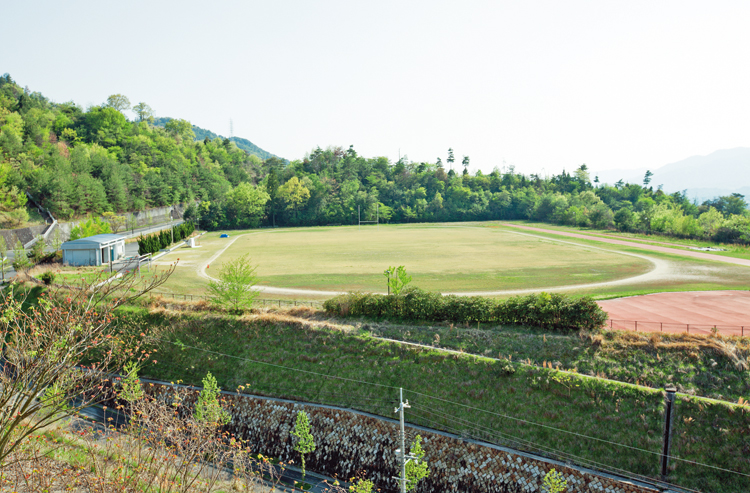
[351,443]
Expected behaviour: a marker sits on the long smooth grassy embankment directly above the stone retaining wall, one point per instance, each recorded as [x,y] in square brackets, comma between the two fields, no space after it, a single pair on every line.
[291,357]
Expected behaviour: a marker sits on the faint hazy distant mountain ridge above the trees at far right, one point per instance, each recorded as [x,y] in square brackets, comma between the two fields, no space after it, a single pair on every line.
[722,172]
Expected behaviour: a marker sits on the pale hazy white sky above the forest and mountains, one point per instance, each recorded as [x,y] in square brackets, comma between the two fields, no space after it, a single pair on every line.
[540,84]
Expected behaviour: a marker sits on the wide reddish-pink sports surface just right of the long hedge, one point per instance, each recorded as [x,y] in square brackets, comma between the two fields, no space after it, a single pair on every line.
[694,312]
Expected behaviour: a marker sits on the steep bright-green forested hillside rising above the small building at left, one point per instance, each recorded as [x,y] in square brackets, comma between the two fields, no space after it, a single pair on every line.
[77,162]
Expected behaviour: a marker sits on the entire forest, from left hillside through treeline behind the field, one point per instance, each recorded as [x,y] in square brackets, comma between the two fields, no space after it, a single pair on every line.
[78,162]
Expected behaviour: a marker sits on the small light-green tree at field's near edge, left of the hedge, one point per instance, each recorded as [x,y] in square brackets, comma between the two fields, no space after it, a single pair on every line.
[234,289]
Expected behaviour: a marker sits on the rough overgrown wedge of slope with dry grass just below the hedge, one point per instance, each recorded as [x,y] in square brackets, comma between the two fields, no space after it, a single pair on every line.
[709,367]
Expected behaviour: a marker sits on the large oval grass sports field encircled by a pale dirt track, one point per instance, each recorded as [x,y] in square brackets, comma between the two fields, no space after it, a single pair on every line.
[447,258]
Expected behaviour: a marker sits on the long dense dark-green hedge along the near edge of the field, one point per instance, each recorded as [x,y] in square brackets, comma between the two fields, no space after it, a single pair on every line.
[554,311]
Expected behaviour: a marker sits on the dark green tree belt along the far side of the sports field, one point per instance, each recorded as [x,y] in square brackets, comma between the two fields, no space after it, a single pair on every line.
[328,186]
